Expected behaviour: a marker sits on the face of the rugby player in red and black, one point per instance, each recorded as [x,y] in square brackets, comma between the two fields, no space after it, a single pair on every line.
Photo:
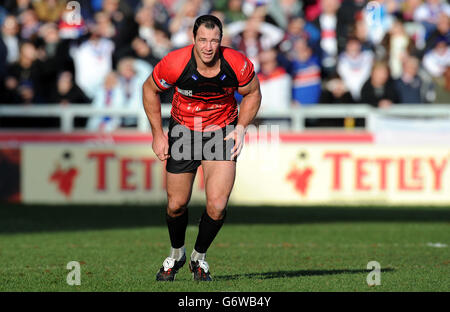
[207,43]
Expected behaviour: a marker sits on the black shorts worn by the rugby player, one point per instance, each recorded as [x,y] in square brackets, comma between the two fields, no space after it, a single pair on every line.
[187,148]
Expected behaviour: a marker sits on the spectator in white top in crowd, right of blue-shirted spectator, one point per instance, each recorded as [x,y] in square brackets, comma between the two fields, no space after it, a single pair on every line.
[354,67]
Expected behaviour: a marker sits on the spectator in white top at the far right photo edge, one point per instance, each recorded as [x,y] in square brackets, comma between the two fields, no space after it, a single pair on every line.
[437,59]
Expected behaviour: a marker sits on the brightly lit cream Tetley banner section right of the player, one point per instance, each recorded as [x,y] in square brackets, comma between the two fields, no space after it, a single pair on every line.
[346,173]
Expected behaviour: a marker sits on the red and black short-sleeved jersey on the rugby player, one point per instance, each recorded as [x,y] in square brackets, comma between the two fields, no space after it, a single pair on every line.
[195,96]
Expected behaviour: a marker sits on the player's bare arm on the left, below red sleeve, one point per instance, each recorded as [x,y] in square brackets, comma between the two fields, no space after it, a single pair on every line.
[152,106]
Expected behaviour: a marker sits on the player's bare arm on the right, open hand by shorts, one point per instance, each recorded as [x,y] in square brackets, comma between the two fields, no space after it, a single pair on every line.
[248,109]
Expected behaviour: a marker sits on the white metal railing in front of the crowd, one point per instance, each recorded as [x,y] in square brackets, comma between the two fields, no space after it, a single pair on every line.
[295,115]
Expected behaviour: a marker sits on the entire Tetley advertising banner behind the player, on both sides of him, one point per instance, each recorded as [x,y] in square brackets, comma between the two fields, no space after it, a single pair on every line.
[285,174]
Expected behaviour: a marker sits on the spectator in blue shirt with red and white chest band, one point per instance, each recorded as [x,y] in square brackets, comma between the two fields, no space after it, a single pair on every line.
[306,75]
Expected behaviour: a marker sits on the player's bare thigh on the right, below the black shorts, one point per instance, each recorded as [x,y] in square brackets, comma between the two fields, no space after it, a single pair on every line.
[219,179]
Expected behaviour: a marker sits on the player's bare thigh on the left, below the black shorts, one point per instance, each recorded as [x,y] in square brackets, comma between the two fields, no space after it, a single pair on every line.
[179,188]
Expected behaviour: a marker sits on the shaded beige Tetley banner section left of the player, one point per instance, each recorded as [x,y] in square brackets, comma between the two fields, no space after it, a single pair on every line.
[83,174]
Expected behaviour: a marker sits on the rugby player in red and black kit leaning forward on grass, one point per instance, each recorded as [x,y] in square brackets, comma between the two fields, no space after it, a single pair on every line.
[205,76]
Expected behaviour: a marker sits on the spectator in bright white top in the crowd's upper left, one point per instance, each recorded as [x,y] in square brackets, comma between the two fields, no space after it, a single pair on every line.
[93,61]
